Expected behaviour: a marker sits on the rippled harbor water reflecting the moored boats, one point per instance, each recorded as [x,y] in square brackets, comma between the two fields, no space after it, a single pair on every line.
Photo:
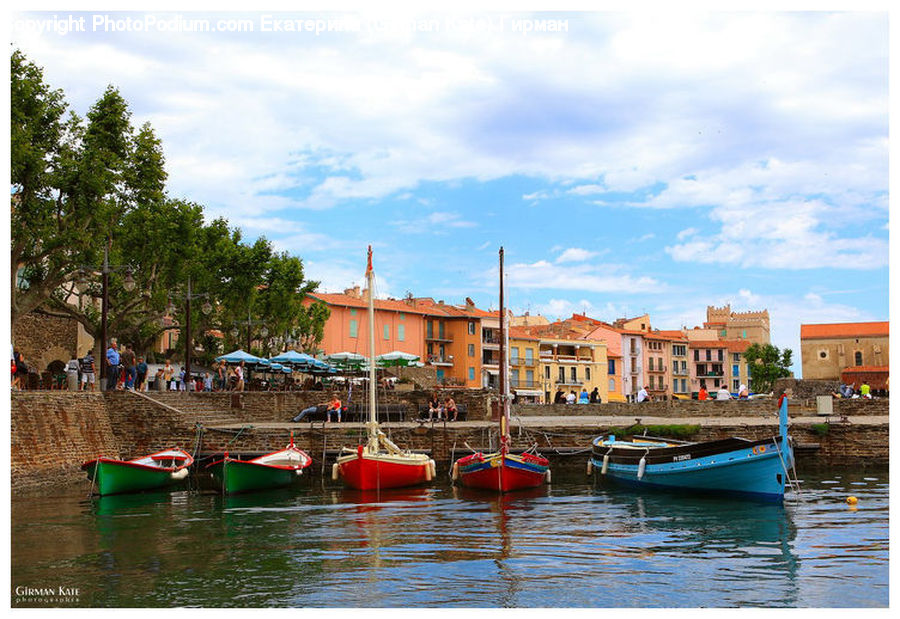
[573,544]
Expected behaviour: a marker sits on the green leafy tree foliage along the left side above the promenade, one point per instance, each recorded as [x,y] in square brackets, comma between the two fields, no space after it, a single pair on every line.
[84,185]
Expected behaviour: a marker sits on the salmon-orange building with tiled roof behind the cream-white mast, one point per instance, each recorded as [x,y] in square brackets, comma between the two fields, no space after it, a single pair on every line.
[399,325]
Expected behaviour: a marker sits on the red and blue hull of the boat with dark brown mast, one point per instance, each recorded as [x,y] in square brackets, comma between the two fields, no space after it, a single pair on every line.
[502,473]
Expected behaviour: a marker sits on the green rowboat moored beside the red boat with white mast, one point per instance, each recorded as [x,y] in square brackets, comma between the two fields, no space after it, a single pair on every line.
[273,470]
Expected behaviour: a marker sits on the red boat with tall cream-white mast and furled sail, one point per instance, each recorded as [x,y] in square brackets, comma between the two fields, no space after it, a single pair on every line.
[379,463]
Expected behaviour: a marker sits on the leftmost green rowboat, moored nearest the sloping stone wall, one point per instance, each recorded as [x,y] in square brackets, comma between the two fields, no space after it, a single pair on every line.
[112,476]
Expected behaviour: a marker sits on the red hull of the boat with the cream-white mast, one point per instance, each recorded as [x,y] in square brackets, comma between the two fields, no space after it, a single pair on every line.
[372,472]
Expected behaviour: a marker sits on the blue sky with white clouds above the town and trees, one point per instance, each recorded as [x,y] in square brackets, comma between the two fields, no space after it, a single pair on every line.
[628,162]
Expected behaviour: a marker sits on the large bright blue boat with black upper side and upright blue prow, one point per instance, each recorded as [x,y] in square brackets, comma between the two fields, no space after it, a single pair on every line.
[731,467]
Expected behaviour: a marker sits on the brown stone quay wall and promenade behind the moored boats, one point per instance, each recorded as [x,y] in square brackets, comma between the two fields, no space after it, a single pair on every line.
[54,432]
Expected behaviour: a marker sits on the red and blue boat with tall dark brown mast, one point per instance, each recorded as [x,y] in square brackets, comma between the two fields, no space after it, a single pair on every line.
[502,471]
